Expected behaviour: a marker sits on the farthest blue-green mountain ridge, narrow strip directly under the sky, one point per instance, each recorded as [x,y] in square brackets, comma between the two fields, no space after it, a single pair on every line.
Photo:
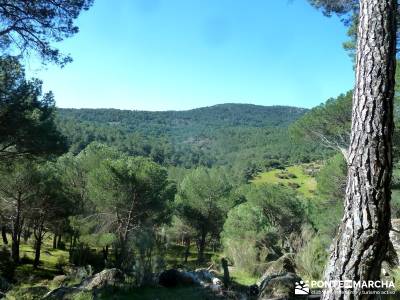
[221,115]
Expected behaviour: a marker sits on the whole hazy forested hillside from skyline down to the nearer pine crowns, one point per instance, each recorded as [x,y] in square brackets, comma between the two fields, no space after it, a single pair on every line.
[218,135]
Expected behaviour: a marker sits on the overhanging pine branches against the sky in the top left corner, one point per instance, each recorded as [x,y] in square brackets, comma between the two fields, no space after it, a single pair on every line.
[33,26]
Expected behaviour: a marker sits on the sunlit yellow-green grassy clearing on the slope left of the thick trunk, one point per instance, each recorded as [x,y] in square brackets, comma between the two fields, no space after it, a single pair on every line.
[294,176]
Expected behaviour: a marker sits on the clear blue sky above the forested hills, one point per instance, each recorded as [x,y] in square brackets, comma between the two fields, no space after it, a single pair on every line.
[182,54]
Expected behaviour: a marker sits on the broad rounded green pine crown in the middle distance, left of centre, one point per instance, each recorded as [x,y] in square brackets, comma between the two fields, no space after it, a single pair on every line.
[135,188]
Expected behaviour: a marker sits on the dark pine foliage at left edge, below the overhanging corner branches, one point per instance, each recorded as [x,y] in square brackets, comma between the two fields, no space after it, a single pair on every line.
[26,116]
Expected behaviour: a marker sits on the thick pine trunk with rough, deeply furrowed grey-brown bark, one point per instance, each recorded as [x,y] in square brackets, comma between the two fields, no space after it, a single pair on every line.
[363,236]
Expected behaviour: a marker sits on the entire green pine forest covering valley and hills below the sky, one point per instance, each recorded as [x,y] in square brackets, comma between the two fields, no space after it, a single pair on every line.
[144,192]
